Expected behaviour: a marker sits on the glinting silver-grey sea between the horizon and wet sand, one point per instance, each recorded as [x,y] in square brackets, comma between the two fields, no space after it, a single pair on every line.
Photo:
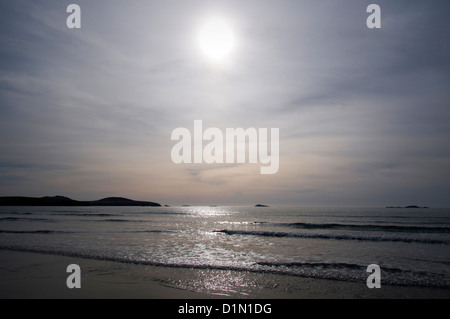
[411,246]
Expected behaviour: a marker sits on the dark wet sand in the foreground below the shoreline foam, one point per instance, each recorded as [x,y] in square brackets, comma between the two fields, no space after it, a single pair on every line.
[33,275]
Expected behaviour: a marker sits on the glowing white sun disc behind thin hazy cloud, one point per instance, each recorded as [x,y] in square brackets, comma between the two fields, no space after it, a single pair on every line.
[216,40]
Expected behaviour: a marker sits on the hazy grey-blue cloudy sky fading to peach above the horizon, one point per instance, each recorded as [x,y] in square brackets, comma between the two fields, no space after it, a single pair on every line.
[363,114]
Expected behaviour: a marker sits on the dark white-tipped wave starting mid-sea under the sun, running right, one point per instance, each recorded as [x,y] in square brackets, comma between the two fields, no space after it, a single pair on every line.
[332,236]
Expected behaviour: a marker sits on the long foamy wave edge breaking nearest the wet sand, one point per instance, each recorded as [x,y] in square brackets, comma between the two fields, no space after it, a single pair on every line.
[330,271]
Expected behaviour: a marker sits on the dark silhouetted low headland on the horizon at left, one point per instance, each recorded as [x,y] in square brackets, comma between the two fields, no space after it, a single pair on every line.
[65,201]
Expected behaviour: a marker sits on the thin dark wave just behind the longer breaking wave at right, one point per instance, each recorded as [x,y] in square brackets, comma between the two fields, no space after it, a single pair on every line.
[389,228]
